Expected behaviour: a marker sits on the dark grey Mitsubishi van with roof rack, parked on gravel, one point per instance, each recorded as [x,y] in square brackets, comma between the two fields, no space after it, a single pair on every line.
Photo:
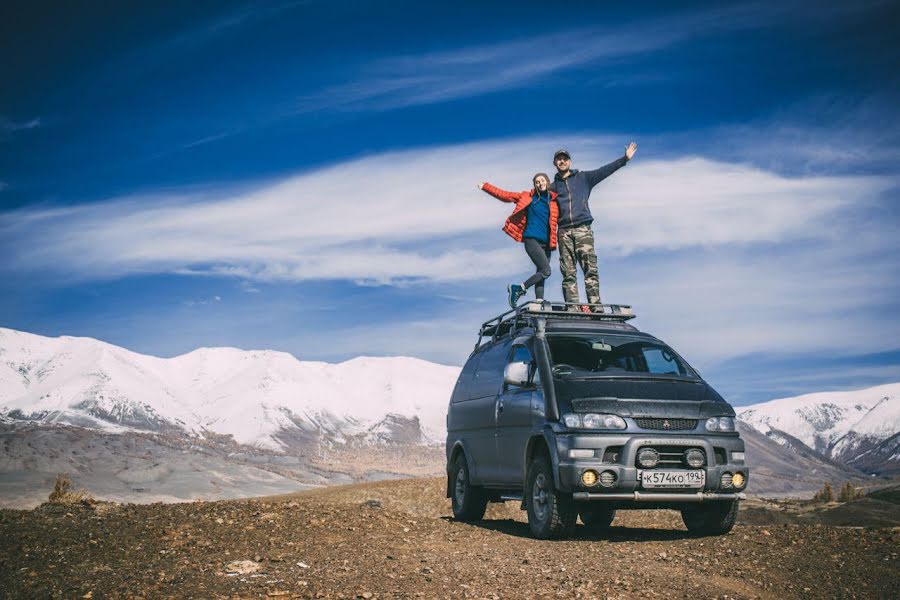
[581,414]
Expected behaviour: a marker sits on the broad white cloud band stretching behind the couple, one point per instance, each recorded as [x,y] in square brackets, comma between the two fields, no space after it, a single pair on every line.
[417,215]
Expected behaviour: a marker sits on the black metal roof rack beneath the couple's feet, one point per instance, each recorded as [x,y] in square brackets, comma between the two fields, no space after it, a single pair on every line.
[573,311]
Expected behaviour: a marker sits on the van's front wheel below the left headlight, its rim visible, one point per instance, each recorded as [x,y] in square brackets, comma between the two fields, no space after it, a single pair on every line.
[551,514]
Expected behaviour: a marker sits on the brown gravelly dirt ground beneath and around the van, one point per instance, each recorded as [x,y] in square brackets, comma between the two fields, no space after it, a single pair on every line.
[396,539]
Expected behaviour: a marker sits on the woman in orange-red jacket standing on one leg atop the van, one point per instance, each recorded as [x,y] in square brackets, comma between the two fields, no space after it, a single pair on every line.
[532,222]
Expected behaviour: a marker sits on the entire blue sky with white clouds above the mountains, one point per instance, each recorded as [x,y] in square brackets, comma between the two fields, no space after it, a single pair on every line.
[301,175]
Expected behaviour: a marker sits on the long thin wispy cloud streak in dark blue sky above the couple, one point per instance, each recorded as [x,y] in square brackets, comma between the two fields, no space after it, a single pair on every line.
[432,77]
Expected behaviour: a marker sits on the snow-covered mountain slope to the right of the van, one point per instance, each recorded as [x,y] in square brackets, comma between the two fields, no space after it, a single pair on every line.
[859,428]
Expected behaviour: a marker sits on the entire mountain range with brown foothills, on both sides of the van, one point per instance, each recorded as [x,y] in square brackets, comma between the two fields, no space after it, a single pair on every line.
[223,422]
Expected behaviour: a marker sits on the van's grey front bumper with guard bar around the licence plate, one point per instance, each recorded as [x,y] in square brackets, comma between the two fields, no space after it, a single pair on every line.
[628,476]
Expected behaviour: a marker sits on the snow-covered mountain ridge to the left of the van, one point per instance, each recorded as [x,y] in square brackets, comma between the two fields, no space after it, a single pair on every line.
[265,399]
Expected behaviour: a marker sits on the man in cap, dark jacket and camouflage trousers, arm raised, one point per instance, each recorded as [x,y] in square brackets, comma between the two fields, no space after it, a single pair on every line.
[576,239]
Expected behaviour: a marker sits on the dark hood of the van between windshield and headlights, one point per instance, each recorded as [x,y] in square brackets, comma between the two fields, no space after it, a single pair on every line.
[642,398]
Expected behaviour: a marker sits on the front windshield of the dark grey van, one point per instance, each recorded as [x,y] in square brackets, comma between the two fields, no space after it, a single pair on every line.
[590,355]
